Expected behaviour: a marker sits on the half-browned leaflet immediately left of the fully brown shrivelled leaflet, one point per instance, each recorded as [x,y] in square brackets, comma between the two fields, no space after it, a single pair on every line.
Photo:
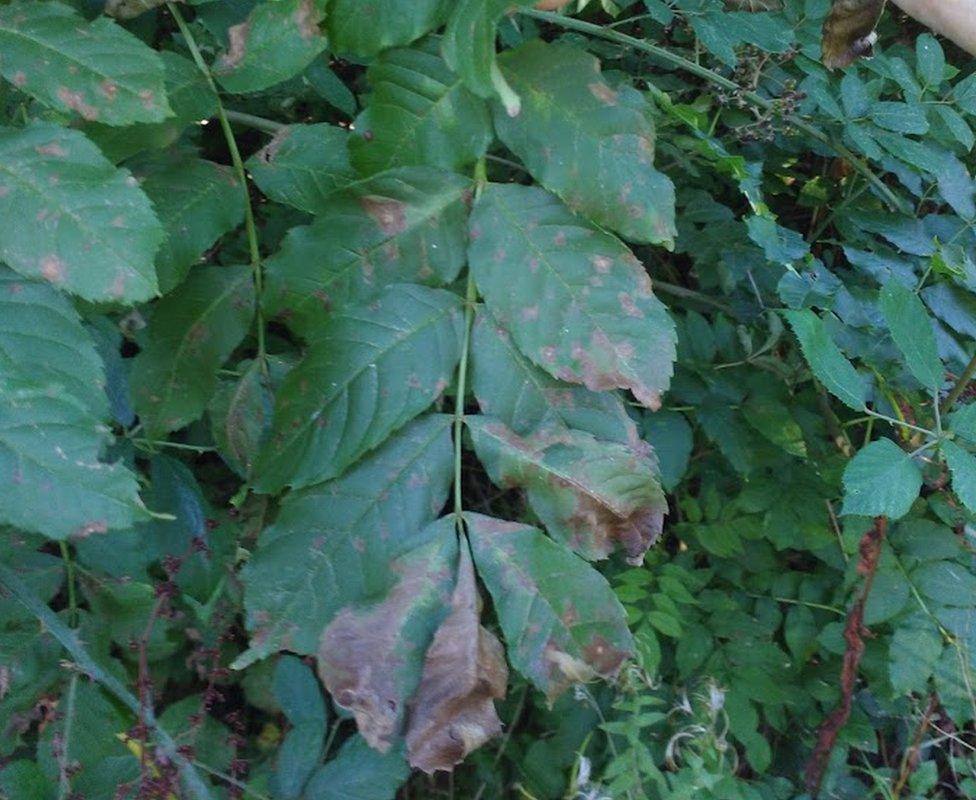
[371,656]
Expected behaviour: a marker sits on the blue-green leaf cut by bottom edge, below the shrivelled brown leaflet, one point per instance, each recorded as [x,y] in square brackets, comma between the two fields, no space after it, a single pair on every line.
[358,772]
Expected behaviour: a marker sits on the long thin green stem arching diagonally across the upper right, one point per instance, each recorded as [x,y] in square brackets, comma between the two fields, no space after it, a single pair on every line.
[895,202]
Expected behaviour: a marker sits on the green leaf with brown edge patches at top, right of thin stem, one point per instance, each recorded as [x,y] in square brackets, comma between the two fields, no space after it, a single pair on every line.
[276,42]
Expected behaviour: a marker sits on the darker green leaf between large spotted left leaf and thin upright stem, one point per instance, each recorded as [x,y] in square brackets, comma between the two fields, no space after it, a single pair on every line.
[197,202]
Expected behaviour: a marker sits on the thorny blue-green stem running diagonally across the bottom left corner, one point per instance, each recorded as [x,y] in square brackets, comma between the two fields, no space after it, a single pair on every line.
[85,663]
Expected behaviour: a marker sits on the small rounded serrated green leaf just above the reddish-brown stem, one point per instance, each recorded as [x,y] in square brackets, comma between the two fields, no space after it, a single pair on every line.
[881,479]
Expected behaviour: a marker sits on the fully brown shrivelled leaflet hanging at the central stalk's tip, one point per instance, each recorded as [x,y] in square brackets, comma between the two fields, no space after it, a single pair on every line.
[453,712]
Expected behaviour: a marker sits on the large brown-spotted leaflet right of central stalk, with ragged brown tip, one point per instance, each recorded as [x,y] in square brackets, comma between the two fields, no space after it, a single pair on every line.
[575,299]
